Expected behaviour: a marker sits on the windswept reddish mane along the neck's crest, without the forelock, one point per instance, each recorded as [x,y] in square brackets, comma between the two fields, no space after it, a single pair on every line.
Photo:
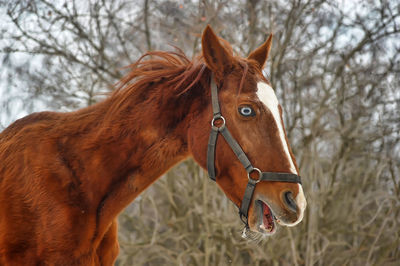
[156,77]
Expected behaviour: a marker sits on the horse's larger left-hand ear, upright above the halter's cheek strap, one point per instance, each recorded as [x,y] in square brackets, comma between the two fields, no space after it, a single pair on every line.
[216,57]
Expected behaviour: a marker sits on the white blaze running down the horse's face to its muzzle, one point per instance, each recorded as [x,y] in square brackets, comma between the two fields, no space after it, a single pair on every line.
[267,96]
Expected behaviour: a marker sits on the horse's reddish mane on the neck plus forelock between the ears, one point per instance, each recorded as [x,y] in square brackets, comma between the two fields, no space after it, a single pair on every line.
[165,78]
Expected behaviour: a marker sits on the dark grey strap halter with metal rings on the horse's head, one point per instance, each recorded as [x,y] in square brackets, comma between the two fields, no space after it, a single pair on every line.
[262,176]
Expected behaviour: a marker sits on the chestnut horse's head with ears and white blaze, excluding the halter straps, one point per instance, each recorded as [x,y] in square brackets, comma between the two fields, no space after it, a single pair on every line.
[250,109]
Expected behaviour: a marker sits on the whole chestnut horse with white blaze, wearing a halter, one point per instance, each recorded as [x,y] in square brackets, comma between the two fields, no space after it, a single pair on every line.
[65,177]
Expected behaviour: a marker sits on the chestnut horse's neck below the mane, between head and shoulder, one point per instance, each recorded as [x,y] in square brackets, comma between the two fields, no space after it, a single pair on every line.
[123,147]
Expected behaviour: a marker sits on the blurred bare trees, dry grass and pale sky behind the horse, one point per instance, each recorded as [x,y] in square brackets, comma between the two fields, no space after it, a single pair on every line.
[335,66]
